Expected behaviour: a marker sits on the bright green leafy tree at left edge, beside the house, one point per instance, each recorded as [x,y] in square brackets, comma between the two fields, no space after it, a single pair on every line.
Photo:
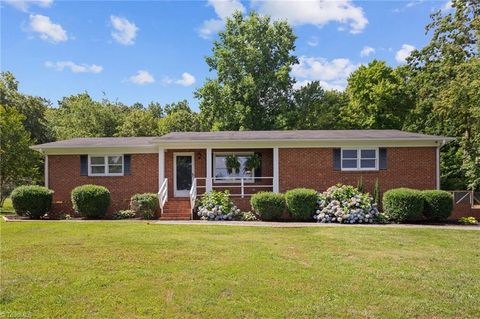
[18,163]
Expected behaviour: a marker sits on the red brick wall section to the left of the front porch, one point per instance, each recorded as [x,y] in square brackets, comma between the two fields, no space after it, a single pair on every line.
[64,175]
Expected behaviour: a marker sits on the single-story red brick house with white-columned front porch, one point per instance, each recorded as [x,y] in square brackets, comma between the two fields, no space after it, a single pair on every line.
[181,166]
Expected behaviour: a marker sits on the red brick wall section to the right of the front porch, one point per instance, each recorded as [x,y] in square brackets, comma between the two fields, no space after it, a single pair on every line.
[413,167]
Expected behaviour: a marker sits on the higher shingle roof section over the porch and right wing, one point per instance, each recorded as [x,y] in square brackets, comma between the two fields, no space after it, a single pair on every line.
[298,135]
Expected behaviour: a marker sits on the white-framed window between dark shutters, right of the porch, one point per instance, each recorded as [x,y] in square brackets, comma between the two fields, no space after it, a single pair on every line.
[359,159]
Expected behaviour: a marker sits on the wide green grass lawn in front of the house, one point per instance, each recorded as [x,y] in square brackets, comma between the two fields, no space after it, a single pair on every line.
[127,270]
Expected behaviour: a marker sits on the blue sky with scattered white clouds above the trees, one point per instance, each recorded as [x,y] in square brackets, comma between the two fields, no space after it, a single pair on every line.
[154,50]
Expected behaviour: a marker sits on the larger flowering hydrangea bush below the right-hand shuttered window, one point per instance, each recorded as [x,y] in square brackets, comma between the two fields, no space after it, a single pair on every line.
[345,204]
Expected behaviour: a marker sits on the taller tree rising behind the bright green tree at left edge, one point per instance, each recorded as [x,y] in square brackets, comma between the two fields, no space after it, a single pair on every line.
[32,108]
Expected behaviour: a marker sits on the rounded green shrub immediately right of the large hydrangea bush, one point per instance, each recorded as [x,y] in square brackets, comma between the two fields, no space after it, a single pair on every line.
[403,204]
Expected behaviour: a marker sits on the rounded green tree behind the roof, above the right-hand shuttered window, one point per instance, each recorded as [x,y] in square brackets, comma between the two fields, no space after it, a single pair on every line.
[377,98]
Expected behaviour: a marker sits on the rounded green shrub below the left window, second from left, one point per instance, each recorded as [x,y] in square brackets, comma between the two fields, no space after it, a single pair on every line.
[91,201]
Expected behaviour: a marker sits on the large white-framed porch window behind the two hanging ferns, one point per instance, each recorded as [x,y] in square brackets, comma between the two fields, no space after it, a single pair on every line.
[221,172]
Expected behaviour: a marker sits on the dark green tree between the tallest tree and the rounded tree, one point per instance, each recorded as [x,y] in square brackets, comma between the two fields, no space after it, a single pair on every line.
[315,109]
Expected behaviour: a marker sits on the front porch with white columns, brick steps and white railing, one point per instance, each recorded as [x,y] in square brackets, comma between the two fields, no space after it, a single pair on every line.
[185,174]
